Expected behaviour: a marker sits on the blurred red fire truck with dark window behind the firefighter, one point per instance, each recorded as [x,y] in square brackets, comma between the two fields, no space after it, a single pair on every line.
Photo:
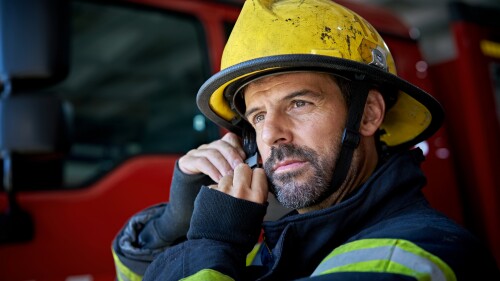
[98,101]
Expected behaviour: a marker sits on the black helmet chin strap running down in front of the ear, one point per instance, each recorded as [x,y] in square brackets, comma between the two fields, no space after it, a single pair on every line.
[358,89]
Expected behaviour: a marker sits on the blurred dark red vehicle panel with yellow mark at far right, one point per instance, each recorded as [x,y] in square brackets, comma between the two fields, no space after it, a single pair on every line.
[469,86]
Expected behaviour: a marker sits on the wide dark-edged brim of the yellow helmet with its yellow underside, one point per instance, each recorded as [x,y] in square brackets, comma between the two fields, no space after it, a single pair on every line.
[405,128]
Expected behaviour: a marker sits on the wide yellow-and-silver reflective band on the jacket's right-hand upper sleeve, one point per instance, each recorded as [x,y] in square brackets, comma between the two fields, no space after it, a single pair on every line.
[386,255]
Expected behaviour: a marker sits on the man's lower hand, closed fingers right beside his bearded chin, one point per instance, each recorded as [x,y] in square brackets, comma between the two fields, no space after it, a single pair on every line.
[245,183]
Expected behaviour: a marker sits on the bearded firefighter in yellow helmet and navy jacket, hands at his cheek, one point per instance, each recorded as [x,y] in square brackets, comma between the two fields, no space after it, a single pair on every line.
[309,93]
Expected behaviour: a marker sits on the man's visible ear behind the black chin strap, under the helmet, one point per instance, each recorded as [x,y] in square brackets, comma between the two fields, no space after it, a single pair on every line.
[373,114]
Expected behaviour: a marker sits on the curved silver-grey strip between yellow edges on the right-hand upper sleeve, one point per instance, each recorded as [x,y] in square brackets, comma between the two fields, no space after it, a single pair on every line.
[420,265]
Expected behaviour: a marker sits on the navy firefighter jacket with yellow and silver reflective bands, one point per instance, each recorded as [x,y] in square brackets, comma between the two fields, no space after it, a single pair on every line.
[385,230]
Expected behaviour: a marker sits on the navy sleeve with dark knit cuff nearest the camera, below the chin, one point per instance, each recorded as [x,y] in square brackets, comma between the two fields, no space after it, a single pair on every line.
[223,230]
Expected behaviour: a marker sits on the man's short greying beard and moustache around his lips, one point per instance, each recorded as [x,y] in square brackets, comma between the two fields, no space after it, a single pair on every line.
[308,192]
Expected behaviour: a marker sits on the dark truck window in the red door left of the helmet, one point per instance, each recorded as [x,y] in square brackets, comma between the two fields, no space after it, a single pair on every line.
[134,75]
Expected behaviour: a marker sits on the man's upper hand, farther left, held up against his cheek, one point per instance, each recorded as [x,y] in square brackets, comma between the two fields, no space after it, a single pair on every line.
[216,159]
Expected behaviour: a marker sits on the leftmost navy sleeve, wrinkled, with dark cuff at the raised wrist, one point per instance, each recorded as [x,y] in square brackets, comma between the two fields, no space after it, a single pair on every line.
[152,230]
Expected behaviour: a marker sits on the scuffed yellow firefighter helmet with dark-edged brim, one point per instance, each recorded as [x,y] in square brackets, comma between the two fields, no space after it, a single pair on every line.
[272,36]
